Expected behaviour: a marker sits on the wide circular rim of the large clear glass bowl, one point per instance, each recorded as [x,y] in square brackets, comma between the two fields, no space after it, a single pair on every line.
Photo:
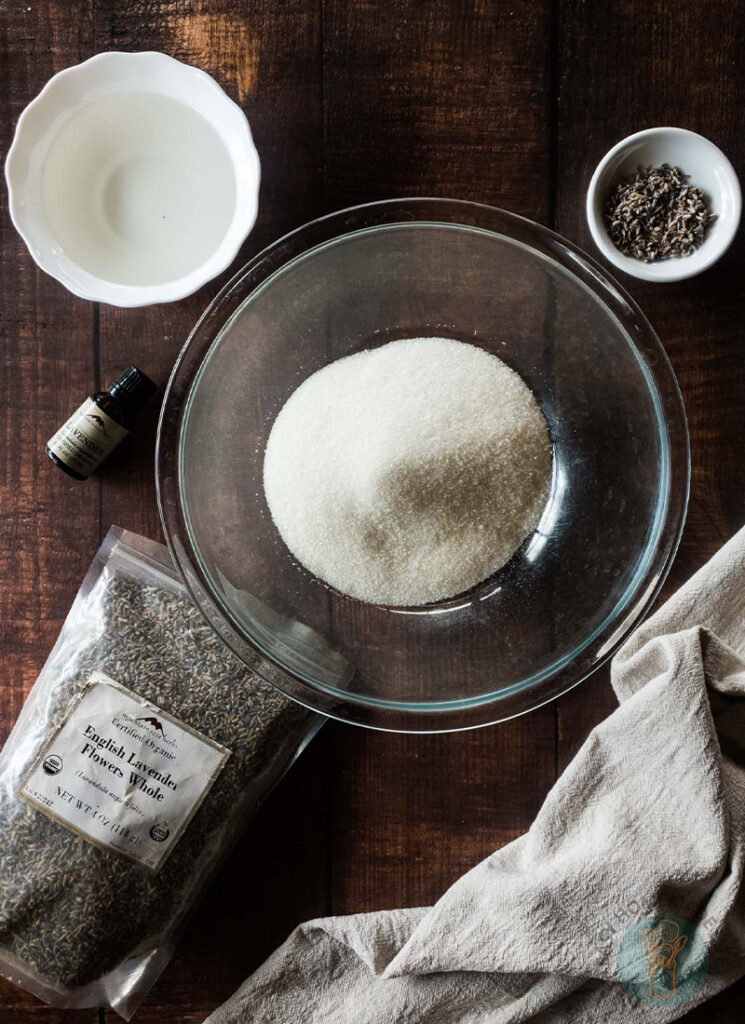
[562,675]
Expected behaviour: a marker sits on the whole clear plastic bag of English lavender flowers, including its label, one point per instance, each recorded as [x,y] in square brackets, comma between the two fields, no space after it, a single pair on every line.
[141,754]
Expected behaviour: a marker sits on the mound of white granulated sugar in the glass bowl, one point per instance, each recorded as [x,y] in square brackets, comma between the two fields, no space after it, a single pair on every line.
[409,474]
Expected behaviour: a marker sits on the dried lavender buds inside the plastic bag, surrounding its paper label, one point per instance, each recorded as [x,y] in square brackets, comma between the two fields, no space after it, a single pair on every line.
[74,912]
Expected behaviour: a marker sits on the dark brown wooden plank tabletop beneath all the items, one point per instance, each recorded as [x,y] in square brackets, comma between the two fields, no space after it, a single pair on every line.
[350,101]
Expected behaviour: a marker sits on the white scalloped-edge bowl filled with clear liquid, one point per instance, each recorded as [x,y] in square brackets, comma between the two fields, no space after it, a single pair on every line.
[134,179]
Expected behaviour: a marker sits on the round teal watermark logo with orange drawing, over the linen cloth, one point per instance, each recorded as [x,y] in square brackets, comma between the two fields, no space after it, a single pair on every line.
[663,961]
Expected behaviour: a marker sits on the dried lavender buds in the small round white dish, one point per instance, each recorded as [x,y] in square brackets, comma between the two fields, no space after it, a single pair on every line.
[658,216]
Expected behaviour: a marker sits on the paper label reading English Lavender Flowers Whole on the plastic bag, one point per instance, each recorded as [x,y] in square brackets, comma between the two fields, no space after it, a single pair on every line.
[123,775]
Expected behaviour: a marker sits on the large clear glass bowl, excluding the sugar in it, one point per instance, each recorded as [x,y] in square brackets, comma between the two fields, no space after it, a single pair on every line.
[579,585]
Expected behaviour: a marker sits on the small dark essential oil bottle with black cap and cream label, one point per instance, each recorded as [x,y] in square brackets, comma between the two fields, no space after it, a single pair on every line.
[101,424]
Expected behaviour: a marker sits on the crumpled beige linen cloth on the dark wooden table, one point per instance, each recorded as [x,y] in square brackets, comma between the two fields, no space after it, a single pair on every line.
[649,820]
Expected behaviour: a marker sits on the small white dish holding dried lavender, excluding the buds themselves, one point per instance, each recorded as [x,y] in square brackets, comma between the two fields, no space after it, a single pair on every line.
[704,163]
